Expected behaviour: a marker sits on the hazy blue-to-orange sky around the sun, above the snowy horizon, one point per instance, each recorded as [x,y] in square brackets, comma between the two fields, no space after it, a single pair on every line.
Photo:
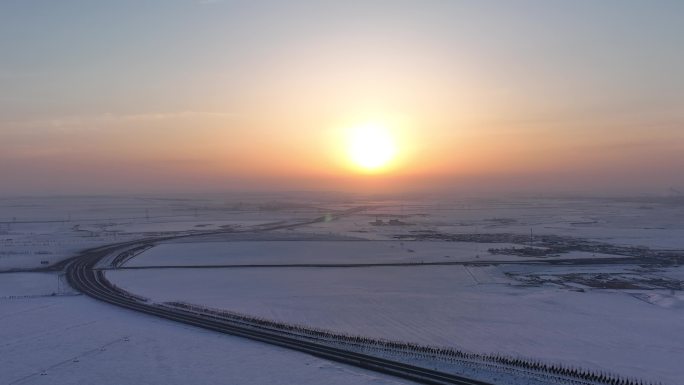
[136,96]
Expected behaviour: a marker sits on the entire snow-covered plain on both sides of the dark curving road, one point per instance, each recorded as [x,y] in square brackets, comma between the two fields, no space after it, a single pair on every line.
[623,318]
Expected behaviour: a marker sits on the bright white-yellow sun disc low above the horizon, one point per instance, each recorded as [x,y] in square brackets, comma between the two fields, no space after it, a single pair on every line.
[371,147]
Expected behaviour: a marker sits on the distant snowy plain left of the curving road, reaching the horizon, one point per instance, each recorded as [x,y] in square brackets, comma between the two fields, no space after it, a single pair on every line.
[49,229]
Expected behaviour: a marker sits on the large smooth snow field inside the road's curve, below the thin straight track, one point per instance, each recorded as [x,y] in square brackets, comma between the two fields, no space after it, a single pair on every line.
[473,308]
